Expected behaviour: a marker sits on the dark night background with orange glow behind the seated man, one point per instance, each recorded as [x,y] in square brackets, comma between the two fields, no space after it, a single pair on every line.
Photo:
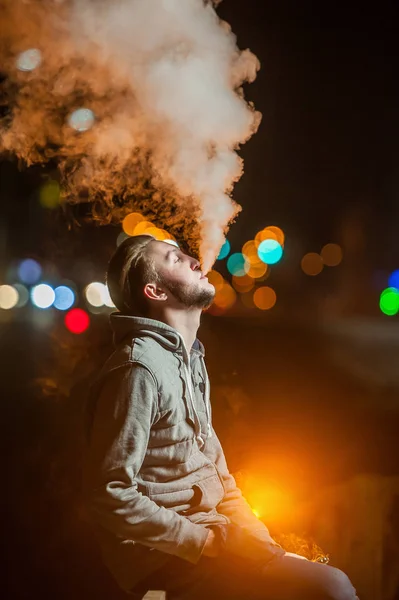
[305,395]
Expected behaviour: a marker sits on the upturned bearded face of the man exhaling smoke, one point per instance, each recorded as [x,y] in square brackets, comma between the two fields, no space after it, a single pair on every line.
[181,276]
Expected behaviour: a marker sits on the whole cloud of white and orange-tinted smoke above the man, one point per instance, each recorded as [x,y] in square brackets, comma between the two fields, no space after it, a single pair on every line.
[163,81]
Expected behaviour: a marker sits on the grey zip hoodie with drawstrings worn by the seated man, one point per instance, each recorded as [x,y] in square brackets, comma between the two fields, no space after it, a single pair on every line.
[155,474]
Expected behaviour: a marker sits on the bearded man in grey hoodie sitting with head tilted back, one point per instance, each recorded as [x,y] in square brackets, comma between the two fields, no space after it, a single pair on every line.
[167,512]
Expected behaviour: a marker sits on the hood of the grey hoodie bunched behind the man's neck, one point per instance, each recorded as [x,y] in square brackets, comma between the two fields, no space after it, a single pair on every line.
[167,336]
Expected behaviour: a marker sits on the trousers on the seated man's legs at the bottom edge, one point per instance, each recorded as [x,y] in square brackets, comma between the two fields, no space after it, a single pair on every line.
[230,577]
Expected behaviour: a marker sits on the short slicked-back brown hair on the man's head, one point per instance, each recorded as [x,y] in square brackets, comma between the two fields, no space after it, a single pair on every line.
[129,270]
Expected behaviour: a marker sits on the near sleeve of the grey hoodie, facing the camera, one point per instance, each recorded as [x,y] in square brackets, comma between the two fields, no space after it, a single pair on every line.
[125,410]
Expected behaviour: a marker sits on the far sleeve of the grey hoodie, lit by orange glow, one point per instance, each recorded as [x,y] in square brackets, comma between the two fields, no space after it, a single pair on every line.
[234,505]
